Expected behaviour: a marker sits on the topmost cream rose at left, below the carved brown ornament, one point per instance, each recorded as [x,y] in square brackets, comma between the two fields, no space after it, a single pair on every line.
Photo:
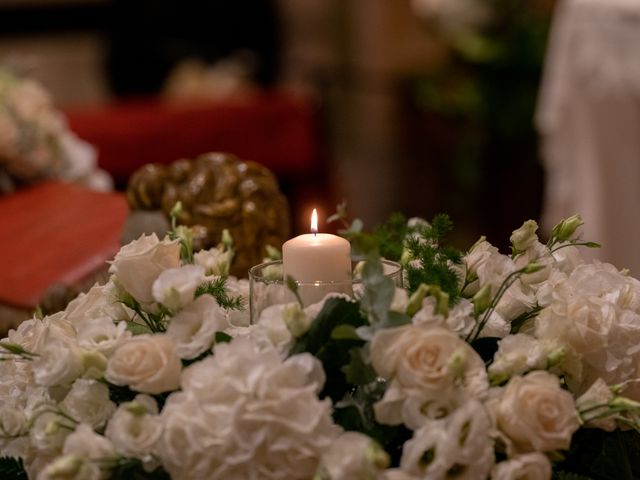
[138,264]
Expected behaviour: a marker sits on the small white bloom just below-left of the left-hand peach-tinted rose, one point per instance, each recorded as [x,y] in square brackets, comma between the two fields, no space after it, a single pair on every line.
[88,402]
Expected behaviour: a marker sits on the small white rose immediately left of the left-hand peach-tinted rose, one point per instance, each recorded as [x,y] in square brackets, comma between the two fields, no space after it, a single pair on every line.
[58,364]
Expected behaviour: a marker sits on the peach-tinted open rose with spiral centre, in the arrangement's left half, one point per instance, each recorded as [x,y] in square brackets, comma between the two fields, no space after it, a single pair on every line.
[146,363]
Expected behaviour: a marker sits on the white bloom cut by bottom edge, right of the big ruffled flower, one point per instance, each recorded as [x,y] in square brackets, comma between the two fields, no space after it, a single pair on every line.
[353,456]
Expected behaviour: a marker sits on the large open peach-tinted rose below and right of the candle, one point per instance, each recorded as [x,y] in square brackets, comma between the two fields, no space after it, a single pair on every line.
[430,360]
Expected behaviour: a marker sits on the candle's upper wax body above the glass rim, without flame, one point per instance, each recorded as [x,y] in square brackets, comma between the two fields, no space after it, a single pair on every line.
[317,257]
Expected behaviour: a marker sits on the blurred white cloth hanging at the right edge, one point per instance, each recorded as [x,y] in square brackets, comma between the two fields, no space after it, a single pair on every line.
[589,119]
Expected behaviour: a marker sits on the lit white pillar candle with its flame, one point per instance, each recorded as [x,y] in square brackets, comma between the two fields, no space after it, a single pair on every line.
[318,258]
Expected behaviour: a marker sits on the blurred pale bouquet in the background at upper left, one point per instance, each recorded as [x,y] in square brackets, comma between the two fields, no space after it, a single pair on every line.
[35,142]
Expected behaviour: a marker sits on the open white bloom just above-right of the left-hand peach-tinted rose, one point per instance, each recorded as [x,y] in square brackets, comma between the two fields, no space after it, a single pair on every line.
[193,328]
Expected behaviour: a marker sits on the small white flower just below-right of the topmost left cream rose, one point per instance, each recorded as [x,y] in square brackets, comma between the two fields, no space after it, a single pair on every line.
[176,287]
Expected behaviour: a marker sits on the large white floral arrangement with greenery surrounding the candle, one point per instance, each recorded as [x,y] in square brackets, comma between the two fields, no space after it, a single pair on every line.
[486,365]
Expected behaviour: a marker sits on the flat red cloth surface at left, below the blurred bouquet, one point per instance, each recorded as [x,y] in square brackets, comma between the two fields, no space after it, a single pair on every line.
[55,233]
